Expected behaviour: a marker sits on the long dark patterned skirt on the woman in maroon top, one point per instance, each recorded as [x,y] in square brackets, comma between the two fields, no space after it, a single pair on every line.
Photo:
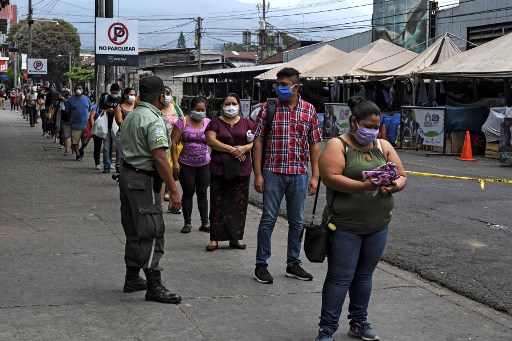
[228,207]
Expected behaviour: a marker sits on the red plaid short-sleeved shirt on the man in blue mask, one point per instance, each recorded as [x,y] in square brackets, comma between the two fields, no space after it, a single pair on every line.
[293,131]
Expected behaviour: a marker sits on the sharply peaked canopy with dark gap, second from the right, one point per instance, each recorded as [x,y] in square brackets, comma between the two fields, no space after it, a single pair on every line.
[443,49]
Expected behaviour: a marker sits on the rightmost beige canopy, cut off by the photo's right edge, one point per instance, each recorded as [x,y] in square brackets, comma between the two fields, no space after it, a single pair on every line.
[489,60]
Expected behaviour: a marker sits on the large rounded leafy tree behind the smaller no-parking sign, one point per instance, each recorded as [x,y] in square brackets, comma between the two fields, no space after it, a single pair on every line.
[51,41]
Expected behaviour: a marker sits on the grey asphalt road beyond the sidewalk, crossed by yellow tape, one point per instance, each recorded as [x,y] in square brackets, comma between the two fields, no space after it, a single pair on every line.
[450,231]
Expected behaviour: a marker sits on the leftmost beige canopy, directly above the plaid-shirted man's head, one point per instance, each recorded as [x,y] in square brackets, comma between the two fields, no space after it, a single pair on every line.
[307,62]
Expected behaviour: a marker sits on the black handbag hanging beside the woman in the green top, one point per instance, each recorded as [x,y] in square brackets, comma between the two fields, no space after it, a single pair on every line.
[317,238]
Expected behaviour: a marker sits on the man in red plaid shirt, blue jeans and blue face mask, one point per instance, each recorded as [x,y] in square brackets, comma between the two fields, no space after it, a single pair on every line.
[291,143]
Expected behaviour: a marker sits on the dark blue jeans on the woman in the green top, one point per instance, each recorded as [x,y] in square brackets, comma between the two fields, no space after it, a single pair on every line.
[352,260]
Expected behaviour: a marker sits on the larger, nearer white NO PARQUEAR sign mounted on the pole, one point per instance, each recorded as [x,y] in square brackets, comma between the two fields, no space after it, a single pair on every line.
[117,42]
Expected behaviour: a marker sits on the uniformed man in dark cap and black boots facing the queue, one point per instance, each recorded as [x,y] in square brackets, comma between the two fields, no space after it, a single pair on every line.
[144,168]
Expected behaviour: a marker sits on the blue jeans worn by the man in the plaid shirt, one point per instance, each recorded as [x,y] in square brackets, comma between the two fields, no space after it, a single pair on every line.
[294,188]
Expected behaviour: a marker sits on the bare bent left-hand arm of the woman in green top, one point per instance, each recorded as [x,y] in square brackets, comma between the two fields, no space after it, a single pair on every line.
[331,164]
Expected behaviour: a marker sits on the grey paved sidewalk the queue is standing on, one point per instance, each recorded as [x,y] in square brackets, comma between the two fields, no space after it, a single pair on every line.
[61,270]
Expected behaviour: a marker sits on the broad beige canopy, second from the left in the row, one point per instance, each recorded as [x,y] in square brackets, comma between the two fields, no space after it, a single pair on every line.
[378,56]
